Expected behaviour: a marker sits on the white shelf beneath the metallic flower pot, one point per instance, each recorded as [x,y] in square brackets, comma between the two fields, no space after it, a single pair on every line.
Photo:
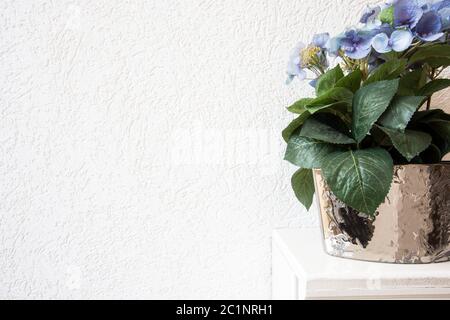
[302,270]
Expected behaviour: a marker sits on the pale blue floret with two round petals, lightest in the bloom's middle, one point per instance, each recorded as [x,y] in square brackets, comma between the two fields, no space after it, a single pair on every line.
[399,41]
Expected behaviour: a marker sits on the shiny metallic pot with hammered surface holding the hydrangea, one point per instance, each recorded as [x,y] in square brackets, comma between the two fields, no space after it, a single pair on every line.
[411,226]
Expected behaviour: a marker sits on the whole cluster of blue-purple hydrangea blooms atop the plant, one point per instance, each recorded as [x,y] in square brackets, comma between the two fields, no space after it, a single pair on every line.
[392,26]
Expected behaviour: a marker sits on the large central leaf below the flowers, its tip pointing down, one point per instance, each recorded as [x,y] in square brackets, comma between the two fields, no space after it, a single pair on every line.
[369,103]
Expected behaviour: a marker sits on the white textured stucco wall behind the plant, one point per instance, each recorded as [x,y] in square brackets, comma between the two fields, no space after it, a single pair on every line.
[140,148]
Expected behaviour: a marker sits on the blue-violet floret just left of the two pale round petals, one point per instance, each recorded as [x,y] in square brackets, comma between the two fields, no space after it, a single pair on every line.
[356,45]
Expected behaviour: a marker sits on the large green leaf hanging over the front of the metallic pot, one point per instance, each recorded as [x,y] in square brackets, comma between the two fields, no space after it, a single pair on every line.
[361,178]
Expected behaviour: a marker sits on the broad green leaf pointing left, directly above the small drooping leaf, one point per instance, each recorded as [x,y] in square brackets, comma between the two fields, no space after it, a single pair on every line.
[306,152]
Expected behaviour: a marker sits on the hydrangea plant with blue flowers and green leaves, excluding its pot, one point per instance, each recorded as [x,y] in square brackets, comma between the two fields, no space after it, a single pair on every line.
[374,84]
